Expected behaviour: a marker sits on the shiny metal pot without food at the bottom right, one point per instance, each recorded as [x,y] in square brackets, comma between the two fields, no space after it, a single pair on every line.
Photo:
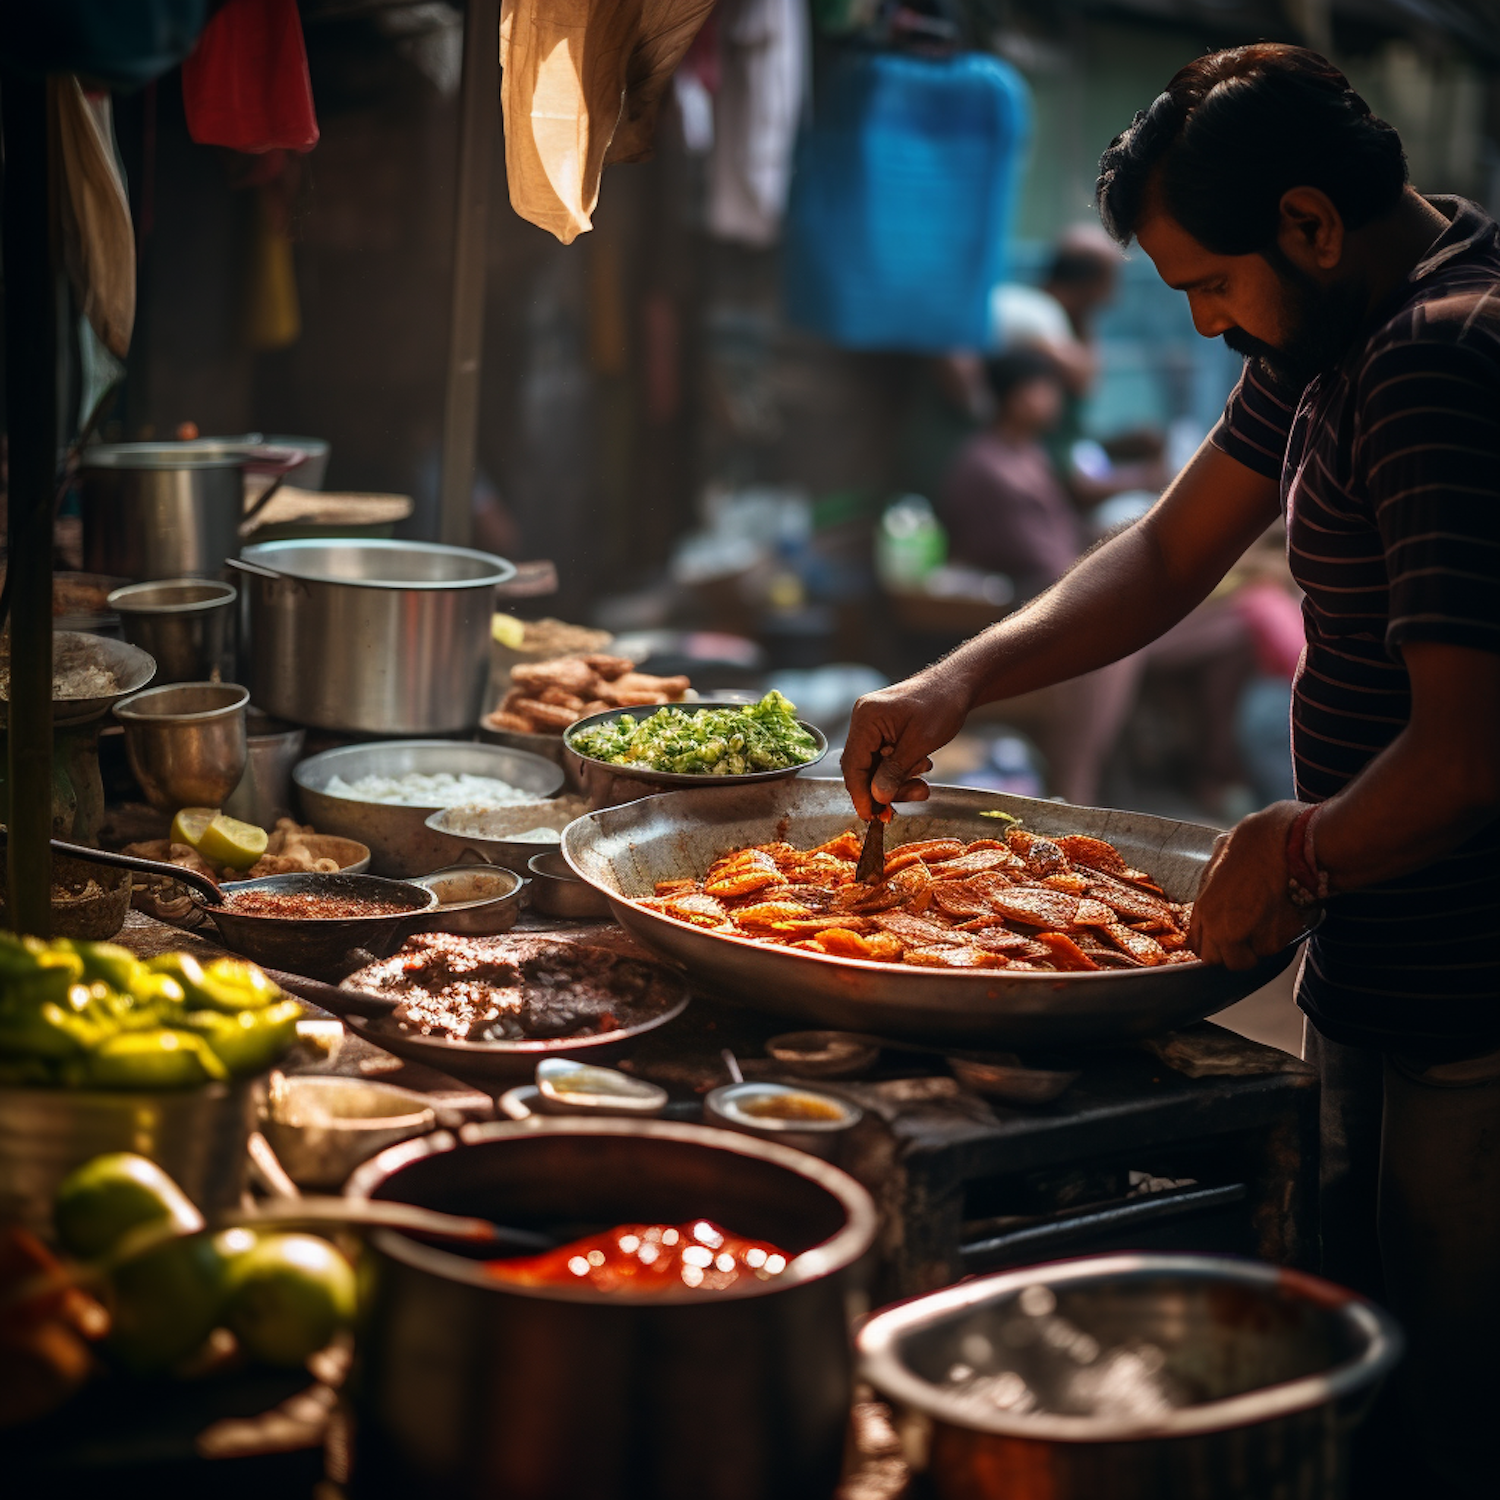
[1133,1378]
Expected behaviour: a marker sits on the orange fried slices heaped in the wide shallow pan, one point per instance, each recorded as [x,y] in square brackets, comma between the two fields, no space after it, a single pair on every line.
[1067,905]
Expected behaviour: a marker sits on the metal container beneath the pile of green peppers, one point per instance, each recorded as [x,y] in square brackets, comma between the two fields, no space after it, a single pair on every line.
[197,1136]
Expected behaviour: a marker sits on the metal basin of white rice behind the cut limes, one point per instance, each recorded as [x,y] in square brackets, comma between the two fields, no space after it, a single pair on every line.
[398,838]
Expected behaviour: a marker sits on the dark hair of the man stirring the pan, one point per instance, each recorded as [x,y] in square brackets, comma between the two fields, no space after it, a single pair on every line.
[1234,133]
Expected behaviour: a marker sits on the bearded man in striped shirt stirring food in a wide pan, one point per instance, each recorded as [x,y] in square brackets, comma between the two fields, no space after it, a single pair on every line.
[1369,416]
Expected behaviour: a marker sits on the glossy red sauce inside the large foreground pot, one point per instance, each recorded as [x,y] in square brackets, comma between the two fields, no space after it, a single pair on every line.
[649,1259]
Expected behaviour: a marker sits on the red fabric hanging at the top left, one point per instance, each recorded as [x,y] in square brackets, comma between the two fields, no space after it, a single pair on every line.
[247,83]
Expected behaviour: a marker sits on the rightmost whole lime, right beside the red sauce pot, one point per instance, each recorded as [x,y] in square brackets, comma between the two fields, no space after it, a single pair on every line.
[289,1297]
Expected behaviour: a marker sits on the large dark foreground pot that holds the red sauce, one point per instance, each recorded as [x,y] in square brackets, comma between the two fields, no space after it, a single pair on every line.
[467,1388]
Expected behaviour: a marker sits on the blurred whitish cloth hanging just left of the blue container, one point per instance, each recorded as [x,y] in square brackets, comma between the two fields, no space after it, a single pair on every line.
[764,56]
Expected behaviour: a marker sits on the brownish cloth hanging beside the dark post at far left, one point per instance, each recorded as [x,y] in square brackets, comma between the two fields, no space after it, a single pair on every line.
[94,212]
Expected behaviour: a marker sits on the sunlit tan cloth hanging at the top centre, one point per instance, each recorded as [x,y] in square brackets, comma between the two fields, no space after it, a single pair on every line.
[581,85]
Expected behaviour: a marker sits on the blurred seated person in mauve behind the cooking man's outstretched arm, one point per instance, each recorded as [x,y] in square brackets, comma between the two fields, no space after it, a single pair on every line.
[1006,511]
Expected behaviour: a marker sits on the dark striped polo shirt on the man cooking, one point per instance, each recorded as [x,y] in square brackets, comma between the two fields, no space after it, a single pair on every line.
[1390,469]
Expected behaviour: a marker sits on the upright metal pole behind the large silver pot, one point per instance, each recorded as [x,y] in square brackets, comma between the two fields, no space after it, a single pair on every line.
[479,125]
